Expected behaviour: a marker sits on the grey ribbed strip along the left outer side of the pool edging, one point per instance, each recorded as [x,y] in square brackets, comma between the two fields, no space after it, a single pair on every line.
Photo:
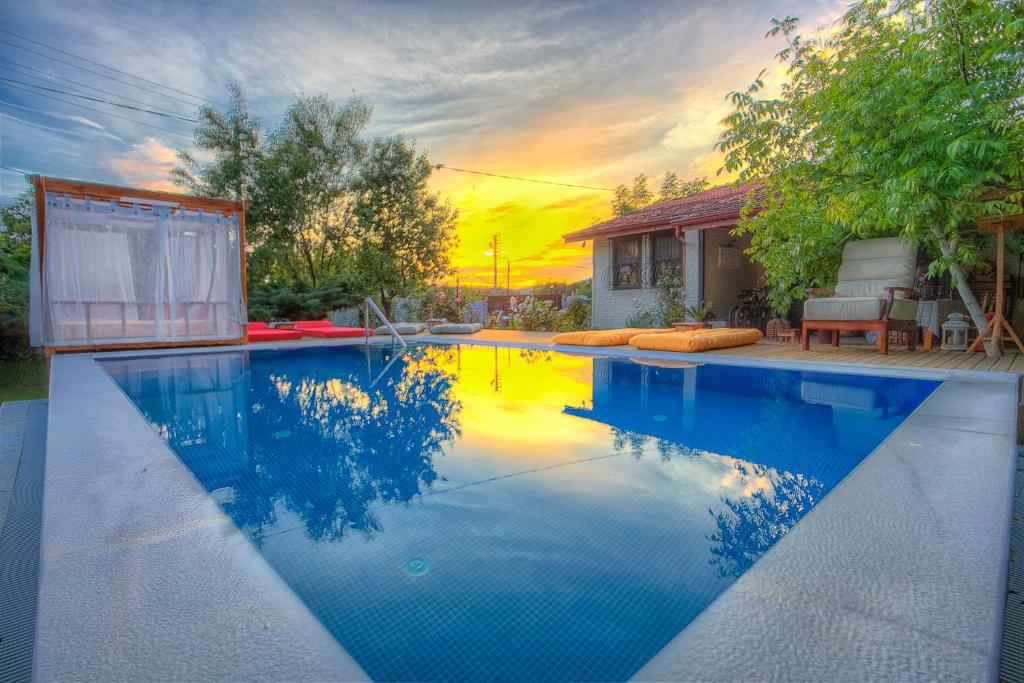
[23,448]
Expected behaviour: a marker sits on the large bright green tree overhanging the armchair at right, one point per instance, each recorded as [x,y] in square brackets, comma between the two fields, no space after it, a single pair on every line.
[900,123]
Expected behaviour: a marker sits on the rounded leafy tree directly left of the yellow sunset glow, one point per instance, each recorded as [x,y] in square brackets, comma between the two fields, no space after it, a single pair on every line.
[401,234]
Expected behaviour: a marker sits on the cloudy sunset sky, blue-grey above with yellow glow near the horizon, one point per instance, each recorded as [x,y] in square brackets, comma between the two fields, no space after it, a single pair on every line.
[587,94]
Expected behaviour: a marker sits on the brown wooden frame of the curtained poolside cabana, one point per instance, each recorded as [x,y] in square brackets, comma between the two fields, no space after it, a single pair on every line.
[116,194]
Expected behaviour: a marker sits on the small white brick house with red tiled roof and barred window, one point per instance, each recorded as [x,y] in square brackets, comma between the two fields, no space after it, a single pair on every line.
[694,233]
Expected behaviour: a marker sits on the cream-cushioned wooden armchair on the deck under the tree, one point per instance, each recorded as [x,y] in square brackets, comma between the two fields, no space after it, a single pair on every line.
[875,293]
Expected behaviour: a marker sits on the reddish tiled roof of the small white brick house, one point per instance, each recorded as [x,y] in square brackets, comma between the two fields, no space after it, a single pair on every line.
[721,203]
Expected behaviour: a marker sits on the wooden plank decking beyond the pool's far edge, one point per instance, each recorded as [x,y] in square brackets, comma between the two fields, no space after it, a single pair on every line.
[854,354]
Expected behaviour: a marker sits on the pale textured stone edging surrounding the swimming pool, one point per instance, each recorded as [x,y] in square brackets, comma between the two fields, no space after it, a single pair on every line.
[899,573]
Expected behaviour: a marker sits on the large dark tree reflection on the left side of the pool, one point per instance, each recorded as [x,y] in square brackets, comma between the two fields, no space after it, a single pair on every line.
[332,449]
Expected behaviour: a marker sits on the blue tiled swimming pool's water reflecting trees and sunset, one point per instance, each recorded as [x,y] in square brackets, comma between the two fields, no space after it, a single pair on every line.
[481,514]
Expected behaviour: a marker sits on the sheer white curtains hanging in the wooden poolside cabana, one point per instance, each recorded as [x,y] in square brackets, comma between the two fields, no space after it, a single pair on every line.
[124,275]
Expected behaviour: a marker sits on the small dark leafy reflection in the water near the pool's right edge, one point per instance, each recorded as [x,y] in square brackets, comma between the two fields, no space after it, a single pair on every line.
[753,525]
